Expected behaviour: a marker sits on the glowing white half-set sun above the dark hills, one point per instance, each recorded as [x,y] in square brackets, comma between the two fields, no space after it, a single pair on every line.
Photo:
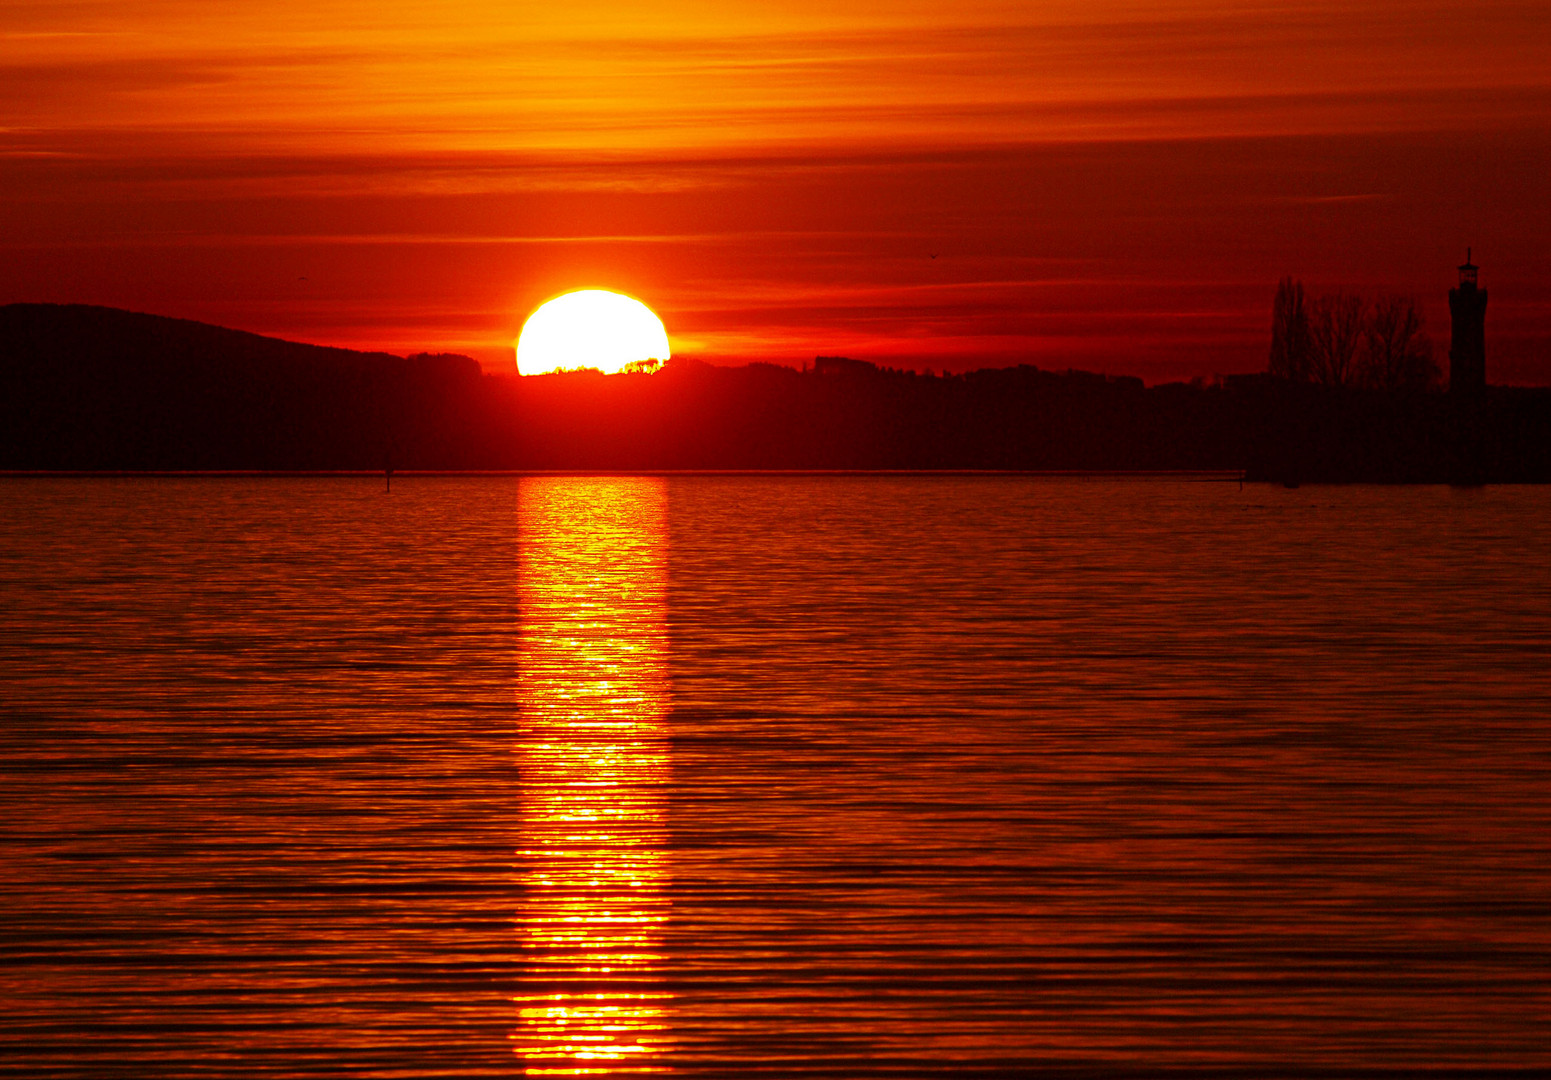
[590,328]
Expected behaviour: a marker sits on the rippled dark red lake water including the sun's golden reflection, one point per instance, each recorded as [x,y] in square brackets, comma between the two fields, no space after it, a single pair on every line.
[790,777]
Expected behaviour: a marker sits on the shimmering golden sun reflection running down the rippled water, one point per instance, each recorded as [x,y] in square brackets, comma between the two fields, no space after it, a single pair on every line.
[595,766]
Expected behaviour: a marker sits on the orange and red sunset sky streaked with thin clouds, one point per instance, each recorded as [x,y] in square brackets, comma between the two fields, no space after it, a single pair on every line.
[1093,184]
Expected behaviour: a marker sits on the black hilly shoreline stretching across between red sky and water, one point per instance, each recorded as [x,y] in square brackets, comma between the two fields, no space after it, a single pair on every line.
[95,389]
